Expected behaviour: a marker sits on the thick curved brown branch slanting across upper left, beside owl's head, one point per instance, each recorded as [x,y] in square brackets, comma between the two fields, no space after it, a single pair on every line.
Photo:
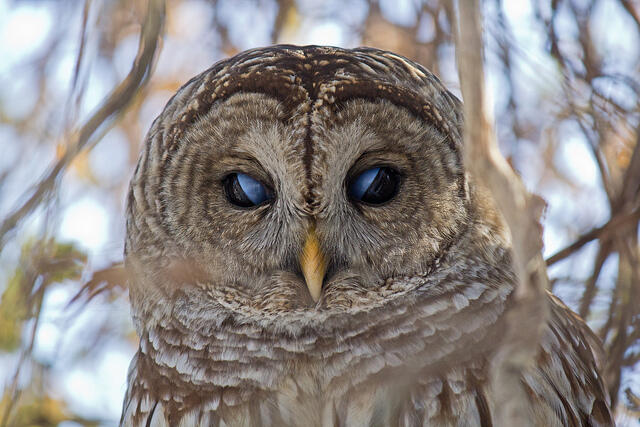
[115,103]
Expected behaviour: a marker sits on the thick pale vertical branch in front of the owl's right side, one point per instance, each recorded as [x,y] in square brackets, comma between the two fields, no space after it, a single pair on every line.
[521,210]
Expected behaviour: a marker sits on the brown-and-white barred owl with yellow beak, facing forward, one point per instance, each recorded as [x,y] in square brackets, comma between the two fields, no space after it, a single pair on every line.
[306,248]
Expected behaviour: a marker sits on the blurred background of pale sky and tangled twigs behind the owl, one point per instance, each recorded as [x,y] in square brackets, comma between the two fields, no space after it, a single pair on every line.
[564,76]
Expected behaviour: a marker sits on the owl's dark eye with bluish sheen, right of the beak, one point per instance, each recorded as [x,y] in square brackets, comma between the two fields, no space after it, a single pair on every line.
[375,185]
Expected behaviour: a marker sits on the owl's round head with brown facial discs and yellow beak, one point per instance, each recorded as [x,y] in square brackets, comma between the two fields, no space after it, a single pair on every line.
[288,180]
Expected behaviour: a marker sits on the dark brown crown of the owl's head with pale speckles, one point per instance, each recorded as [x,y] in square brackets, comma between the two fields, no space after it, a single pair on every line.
[309,77]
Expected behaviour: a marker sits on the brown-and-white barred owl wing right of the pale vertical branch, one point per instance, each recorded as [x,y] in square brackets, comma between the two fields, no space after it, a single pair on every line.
[565,388]
